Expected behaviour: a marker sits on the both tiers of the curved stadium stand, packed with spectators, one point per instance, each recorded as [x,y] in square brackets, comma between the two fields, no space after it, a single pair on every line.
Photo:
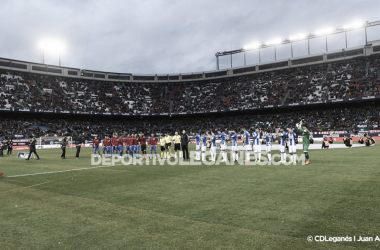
[358,77]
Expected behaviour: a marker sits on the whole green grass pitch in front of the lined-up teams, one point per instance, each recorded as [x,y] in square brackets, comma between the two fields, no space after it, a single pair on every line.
[190,207]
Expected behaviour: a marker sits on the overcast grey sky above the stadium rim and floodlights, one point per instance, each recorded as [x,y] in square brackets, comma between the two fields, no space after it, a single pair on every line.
[172,36]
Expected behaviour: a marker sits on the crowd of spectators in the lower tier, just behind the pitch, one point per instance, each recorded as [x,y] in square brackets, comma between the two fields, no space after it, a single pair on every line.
[332,119]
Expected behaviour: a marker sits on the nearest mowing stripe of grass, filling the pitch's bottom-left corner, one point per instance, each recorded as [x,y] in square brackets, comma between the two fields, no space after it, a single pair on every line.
[123,226]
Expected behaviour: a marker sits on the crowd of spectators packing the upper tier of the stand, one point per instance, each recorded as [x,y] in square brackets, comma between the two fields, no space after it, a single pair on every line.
[357,77]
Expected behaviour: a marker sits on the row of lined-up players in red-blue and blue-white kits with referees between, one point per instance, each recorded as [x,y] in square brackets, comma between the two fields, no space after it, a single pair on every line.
[135,145]
